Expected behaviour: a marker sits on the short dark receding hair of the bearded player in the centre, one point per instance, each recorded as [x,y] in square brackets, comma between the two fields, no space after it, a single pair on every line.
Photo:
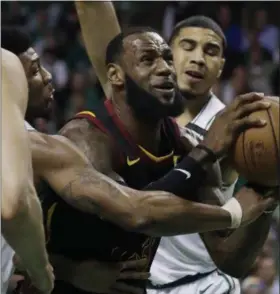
[115,46]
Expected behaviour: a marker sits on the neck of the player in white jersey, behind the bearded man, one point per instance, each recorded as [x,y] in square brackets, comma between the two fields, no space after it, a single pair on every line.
[192,108]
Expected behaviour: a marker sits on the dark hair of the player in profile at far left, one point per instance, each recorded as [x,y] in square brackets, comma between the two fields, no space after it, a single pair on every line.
[15,40]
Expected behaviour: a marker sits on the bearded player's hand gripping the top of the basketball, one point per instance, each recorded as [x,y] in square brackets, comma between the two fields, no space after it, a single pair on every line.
[233,120]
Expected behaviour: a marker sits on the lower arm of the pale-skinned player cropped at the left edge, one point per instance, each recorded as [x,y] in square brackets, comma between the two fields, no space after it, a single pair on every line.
[24,232]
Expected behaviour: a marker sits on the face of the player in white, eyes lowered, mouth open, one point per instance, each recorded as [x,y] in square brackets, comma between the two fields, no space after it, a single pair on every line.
[198,60]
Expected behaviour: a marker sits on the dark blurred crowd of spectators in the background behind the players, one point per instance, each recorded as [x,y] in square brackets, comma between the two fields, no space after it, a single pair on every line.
[252,32]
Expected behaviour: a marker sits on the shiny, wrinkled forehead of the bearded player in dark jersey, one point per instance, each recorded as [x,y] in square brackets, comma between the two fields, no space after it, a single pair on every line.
[145,41]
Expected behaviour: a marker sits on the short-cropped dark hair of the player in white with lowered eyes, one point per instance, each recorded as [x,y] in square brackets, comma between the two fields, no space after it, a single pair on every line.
[199,21]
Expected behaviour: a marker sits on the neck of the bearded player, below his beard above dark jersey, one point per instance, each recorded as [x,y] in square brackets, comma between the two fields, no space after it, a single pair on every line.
[145,134]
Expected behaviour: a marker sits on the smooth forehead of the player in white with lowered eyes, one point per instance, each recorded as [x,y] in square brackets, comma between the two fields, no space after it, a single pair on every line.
[200,35]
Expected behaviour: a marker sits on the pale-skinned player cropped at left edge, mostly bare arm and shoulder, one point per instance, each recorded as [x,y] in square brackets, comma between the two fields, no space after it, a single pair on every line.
[21,215]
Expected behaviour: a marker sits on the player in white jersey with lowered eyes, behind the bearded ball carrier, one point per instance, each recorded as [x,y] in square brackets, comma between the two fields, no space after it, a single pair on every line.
[182,263]
